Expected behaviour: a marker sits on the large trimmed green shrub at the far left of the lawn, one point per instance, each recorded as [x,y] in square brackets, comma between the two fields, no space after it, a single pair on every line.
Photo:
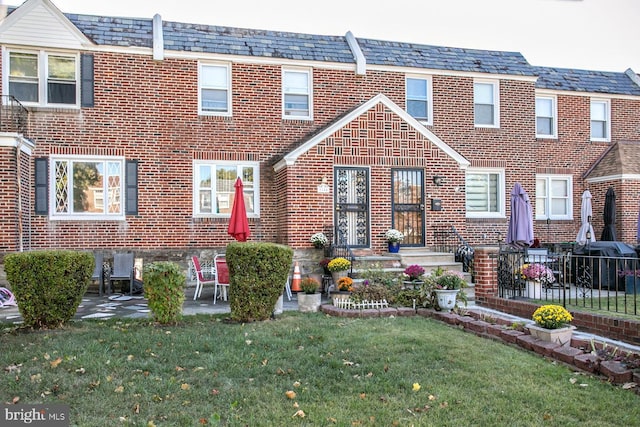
[48,285]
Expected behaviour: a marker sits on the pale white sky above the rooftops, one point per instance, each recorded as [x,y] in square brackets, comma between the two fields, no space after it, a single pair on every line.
[586,34]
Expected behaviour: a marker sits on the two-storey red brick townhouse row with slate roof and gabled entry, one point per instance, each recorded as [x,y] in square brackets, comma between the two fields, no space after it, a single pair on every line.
[126,133]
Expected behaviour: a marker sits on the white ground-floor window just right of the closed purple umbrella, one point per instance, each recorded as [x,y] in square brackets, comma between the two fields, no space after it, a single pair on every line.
[554,197]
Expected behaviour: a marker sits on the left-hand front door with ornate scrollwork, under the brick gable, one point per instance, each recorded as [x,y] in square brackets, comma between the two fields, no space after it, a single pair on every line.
[352,206]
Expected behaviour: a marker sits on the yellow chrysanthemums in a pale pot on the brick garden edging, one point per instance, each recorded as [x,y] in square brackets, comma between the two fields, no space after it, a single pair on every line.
[552,324]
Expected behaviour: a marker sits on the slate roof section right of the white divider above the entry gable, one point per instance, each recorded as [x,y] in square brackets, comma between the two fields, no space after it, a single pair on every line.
[444,58]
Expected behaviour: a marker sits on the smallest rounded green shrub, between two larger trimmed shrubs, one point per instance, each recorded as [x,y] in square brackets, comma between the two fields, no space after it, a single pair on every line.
[164,283]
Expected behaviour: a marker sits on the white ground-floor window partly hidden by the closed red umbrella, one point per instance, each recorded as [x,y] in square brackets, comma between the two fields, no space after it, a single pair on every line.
[214,189]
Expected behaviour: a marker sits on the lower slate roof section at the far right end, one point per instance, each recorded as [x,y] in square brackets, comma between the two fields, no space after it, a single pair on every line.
[586,81]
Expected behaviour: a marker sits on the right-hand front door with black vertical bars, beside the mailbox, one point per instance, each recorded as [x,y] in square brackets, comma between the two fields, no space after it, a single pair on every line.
[408,204]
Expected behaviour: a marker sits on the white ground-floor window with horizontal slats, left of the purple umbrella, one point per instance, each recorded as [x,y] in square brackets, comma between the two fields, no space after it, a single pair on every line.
[485,193]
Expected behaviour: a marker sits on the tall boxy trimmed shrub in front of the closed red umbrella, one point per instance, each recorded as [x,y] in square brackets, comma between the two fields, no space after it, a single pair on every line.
[258,273]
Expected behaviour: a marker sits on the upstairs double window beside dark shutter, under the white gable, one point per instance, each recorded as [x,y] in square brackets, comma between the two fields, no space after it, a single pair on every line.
[43,78]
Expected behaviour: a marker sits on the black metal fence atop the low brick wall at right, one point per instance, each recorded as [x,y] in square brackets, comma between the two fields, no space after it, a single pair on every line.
[606,283]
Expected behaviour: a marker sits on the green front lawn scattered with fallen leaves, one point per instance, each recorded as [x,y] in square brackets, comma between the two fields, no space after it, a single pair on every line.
[345,372]
